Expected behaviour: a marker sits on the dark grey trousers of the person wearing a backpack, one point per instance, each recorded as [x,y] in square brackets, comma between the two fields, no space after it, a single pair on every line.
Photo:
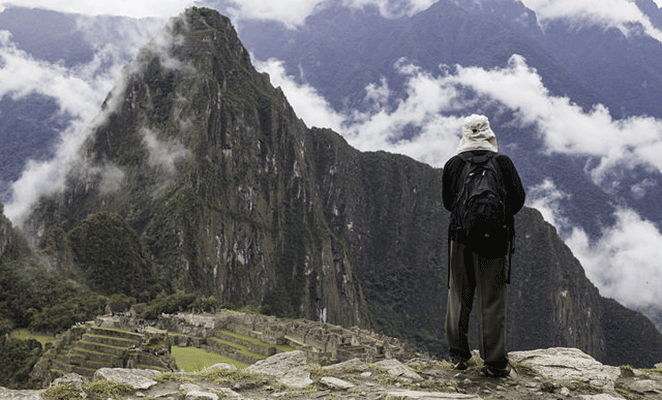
[470,273]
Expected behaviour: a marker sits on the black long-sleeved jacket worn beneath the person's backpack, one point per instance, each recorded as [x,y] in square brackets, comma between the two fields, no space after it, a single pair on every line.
[452,182]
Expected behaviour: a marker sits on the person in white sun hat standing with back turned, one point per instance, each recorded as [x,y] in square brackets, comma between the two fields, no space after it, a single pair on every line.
[473,267]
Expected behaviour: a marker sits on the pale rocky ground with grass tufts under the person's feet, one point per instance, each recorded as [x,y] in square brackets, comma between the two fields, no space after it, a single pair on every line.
[559,373]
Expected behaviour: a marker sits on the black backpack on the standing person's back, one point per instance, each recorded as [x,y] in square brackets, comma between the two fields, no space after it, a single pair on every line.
[480,210]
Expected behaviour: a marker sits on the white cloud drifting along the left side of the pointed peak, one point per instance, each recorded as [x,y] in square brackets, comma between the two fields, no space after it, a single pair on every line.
[79,93]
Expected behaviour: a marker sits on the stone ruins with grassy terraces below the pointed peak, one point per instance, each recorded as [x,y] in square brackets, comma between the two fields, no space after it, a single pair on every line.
[124,340]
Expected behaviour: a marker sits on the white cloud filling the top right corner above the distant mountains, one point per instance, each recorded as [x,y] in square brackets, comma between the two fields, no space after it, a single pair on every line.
[623,15]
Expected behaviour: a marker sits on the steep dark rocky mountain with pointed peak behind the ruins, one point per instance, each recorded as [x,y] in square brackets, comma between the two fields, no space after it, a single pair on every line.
[233,196]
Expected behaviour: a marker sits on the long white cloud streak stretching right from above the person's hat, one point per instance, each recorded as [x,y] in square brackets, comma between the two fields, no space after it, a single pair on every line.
[564,126]
